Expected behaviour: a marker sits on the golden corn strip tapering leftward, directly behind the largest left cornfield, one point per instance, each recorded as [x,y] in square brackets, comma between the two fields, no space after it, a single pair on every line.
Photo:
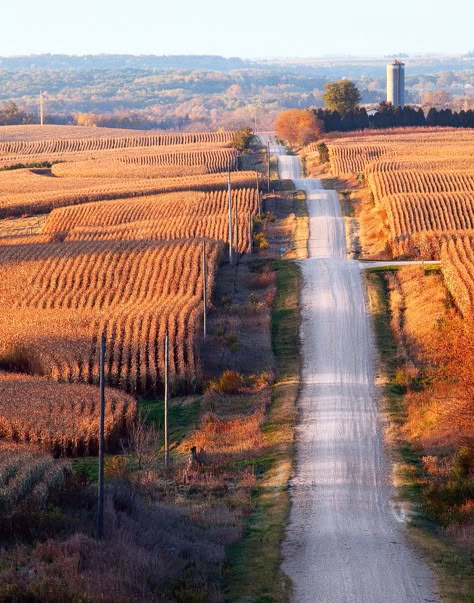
[167,216]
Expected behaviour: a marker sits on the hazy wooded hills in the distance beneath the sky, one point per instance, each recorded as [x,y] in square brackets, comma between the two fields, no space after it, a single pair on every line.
[209,92]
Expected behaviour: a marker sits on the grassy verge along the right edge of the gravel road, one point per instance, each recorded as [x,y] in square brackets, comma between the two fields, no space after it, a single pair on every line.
[453,567]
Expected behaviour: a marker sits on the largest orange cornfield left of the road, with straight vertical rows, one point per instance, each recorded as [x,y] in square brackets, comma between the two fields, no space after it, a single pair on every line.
[57,298]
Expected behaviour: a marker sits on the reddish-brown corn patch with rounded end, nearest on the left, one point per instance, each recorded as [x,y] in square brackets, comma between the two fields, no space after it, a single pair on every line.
[61,418]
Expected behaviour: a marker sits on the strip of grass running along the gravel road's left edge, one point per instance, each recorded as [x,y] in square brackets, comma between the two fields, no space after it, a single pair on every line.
[255,574]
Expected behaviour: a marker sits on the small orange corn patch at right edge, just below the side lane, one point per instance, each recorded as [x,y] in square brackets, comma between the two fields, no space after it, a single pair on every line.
[457,264]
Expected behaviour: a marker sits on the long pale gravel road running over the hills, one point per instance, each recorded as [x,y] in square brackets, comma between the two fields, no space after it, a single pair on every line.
[345,542]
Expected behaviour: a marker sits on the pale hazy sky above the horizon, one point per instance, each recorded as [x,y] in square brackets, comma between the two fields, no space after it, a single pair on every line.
[246,28]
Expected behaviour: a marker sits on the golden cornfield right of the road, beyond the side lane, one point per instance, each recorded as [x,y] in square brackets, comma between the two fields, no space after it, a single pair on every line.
[422,181]
